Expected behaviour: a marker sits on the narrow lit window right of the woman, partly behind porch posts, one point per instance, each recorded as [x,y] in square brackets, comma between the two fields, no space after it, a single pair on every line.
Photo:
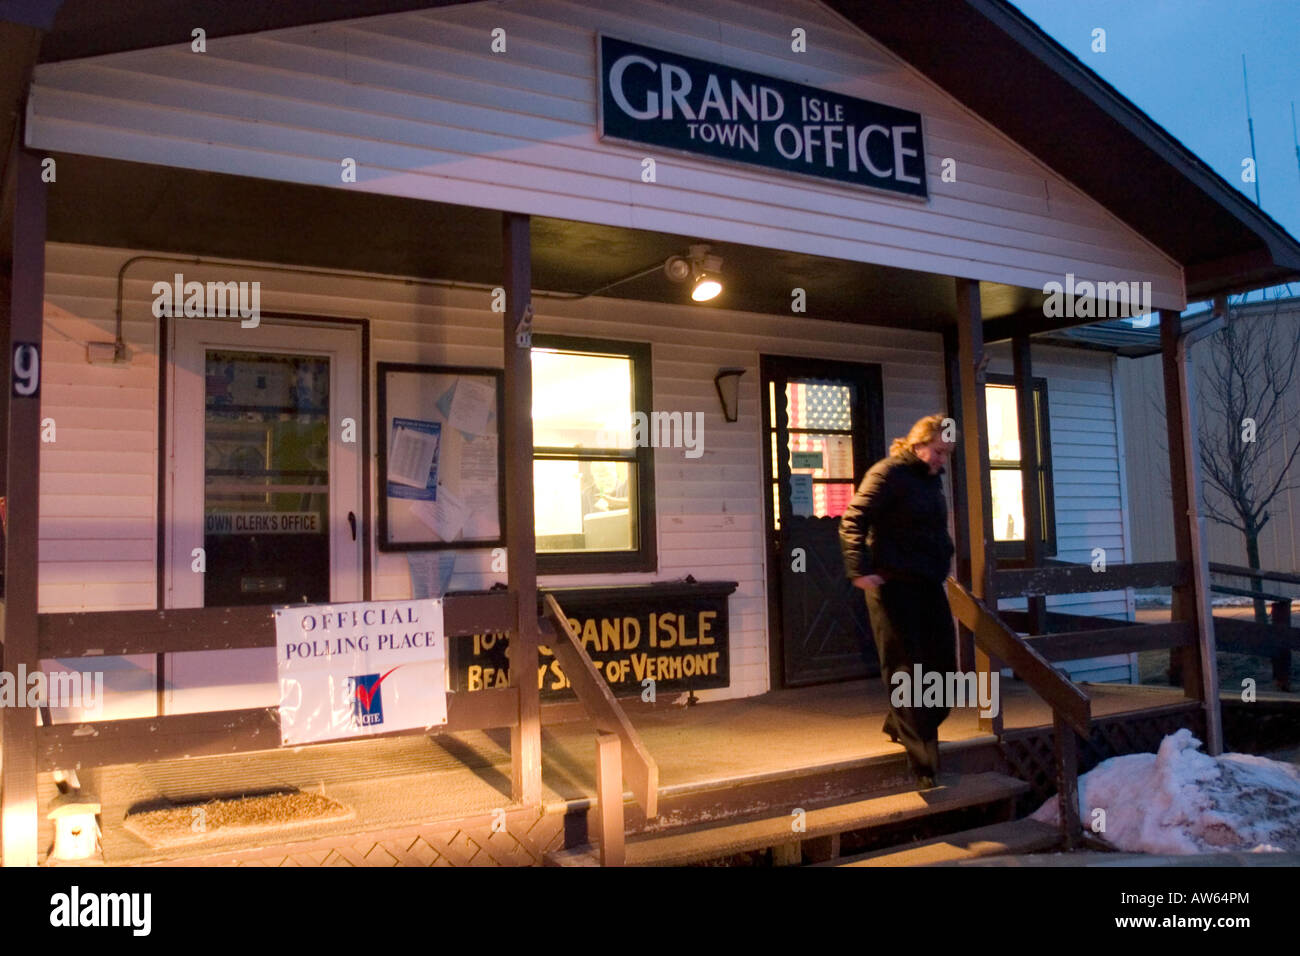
[1004,460]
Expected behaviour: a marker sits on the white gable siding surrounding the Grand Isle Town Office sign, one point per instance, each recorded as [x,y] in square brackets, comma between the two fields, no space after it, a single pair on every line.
[424,107]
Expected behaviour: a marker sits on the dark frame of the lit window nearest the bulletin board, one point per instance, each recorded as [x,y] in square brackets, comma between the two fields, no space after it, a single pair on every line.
[645,557]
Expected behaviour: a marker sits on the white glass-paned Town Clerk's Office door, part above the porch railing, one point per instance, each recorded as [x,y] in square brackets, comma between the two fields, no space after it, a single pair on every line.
[266,465]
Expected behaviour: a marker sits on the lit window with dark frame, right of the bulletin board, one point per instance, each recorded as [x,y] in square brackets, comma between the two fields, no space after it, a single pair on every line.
[593,482]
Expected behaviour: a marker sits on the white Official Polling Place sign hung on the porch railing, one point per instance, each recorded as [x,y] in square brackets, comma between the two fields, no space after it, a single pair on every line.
[353,671]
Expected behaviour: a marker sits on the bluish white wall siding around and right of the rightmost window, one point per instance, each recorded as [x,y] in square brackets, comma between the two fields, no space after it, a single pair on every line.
[1087,478]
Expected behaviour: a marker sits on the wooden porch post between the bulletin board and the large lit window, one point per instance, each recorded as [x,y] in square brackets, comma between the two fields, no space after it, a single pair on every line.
[526,736]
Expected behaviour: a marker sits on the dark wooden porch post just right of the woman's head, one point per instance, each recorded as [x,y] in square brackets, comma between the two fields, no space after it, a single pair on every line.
[974,442]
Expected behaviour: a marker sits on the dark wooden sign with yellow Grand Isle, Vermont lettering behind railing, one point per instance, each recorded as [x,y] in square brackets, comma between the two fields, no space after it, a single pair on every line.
[675,635]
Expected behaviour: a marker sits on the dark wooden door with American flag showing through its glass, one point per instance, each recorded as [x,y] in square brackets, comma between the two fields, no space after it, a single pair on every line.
[824,429]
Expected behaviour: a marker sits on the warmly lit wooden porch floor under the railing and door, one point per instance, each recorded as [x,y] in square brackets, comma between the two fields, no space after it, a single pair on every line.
[430,799]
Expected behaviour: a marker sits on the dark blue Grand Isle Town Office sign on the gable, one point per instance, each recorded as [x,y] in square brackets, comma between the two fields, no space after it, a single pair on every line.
[681,103]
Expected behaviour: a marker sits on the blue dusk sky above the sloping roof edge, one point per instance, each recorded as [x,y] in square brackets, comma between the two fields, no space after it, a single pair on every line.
[1181,63]
